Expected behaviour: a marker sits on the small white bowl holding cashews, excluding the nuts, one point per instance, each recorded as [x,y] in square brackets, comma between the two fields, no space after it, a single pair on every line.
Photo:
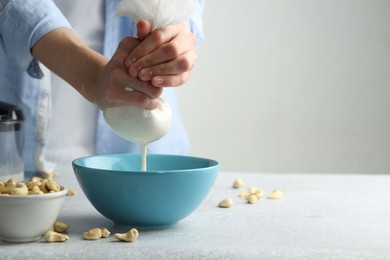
[25,218]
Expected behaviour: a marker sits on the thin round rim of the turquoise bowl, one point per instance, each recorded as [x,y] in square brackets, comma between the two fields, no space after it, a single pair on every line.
[215,163]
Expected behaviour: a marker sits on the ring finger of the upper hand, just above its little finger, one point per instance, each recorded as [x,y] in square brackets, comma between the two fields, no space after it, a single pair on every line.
[177,66]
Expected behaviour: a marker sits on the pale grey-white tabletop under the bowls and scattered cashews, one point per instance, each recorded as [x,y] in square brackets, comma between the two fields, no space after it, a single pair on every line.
[322,216]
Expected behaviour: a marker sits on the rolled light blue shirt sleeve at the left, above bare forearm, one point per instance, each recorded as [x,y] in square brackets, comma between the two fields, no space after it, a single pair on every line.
[22,24]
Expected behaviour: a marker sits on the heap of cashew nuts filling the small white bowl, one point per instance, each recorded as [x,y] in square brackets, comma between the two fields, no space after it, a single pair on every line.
[35,186]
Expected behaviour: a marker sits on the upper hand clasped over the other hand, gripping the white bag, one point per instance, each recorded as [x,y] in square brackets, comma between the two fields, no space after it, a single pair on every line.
[165,57]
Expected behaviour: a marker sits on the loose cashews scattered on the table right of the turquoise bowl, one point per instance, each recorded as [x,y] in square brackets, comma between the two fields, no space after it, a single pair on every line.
[252,194]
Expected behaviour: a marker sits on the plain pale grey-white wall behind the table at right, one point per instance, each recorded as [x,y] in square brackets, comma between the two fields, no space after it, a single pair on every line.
[292,86]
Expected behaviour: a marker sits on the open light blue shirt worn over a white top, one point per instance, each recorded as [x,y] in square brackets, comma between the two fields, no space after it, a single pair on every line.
[22,24]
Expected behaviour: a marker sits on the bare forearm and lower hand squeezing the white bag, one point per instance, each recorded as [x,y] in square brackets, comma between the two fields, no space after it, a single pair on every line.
[103,82]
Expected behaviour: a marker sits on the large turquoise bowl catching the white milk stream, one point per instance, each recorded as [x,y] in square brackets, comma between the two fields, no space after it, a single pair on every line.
[171,189]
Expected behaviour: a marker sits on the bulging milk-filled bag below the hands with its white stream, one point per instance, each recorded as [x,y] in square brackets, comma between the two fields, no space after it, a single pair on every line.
[140,125]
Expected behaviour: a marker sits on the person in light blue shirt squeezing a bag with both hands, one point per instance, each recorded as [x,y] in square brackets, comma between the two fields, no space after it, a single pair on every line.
[36,33]
